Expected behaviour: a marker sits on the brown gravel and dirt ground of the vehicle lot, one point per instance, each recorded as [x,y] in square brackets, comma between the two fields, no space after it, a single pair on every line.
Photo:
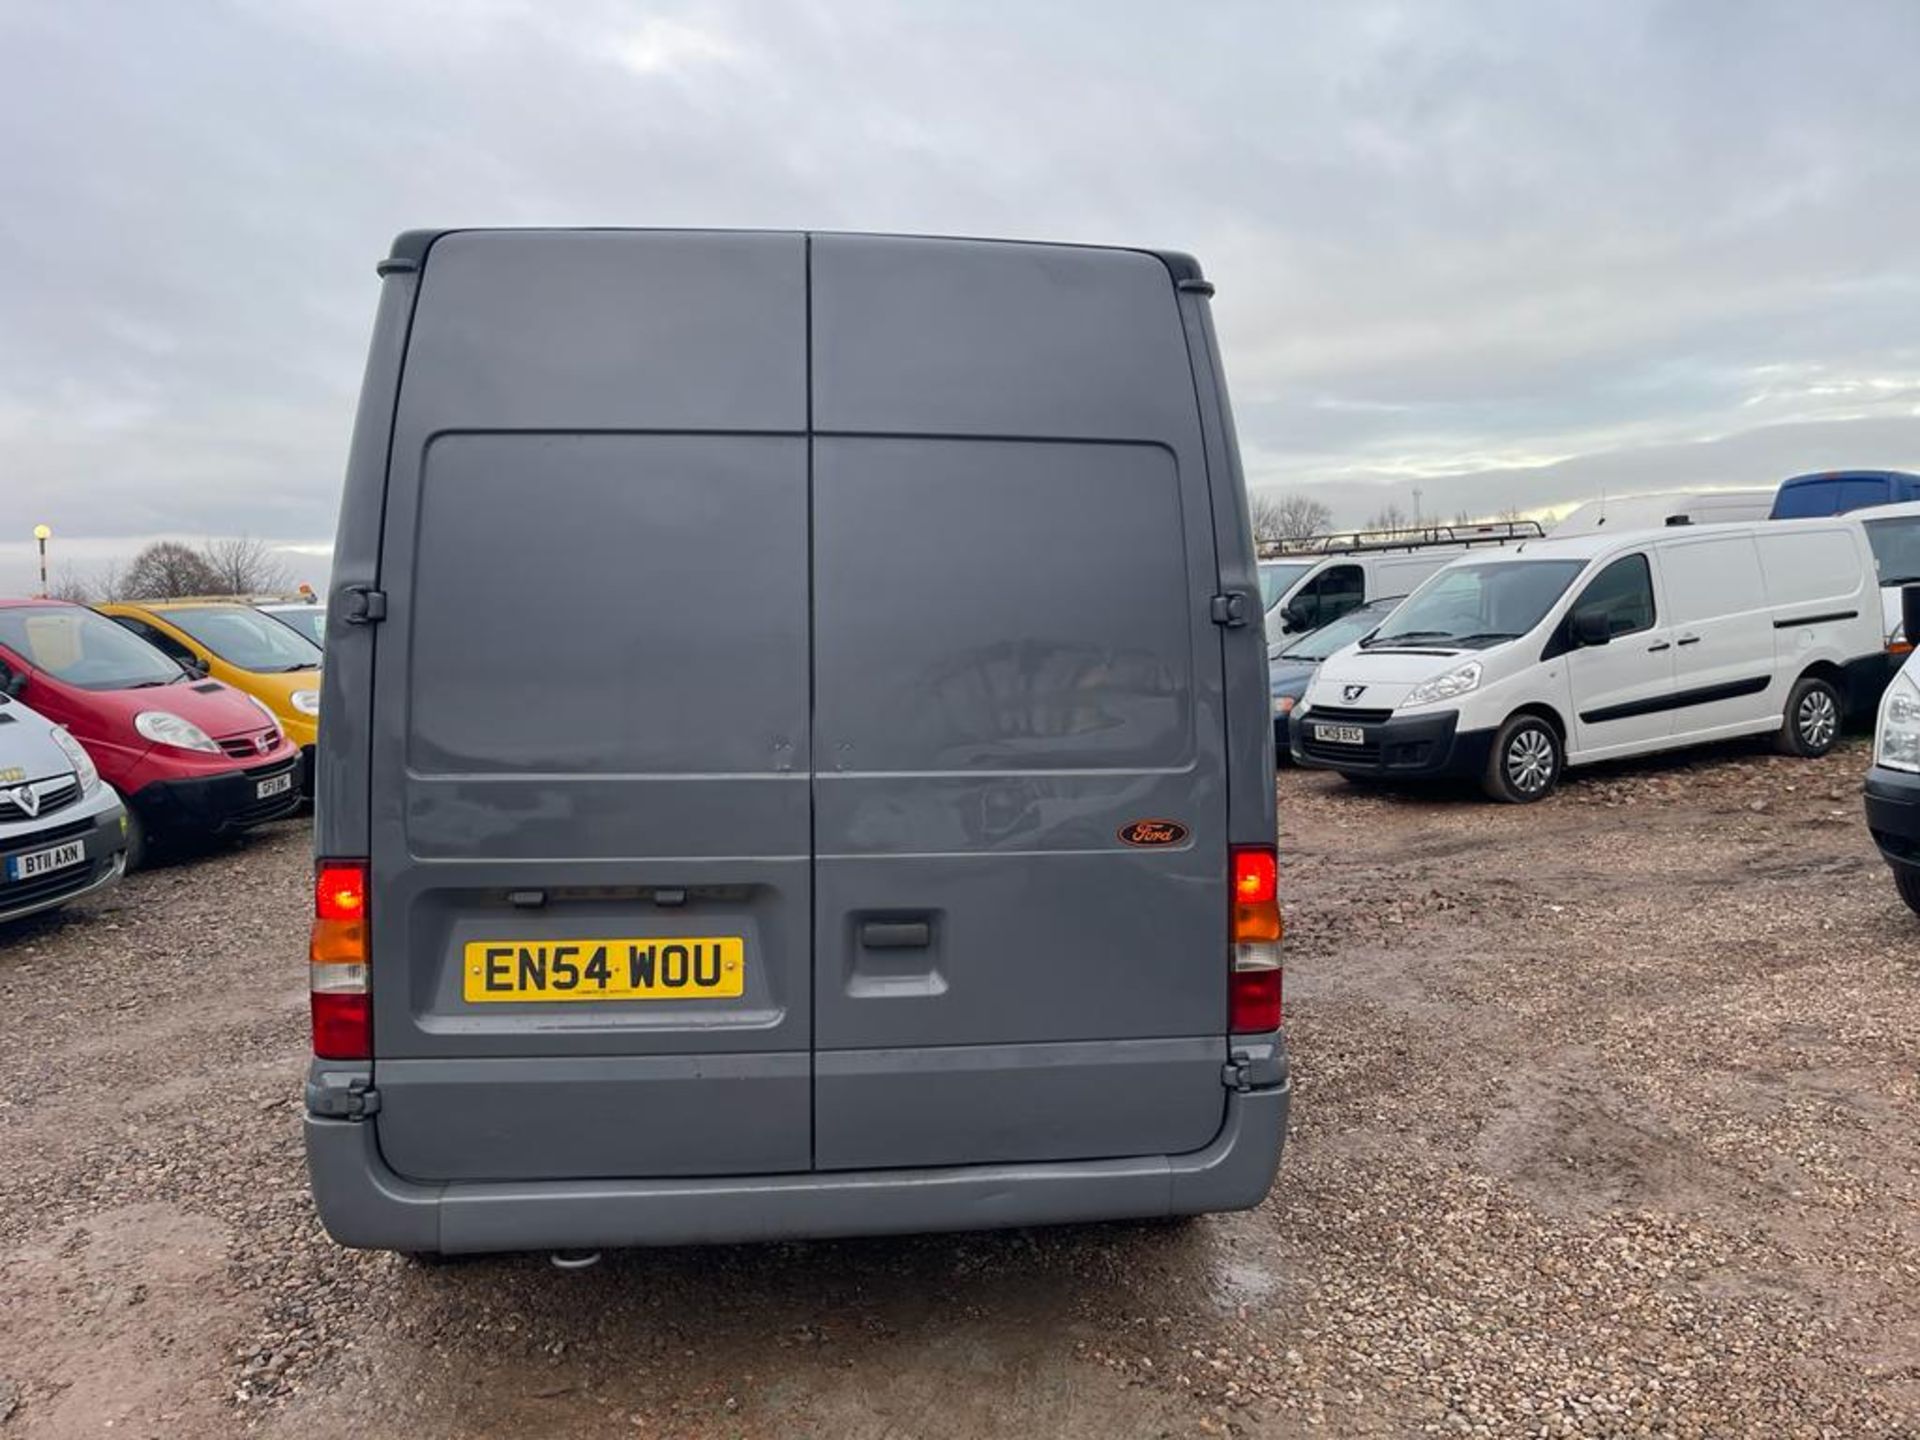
[1606,1126]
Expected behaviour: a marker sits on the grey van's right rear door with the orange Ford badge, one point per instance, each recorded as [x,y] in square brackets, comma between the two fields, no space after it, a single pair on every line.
[1020,796]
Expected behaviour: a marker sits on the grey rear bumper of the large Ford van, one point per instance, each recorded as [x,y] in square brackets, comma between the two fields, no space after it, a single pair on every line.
[366,1205]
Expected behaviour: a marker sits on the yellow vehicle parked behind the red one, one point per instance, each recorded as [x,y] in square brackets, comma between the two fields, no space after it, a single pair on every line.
[252,652]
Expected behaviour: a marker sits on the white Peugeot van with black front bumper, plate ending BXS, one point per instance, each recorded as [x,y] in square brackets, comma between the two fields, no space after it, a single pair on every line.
[1514,665]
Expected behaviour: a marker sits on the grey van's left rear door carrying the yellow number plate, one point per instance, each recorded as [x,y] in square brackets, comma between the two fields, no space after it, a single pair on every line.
[590,717]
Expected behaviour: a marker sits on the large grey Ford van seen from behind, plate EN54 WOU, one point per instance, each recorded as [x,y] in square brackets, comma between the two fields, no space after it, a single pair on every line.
[796,754]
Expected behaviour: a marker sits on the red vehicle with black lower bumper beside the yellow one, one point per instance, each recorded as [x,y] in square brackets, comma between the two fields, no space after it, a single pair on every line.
[187,754]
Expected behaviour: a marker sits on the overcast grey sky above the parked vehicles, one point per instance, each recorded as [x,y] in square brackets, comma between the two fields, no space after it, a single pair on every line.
[1512,254]
